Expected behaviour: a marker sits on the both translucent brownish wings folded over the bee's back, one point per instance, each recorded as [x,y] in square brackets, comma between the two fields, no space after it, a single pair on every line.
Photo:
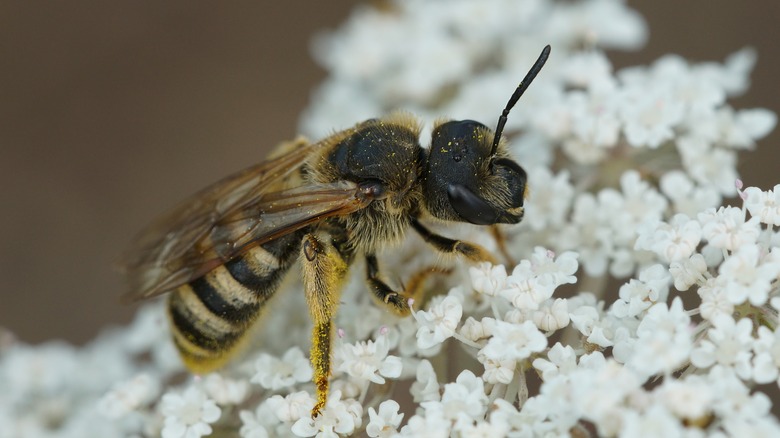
[227,218]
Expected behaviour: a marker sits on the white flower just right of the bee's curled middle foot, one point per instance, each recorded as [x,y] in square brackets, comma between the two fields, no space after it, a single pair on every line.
[439,322]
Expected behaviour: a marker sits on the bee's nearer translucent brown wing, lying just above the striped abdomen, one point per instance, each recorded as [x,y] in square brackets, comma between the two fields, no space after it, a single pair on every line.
[265,218]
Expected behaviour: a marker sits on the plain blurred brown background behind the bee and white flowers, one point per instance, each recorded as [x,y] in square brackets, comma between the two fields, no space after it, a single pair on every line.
[111,112]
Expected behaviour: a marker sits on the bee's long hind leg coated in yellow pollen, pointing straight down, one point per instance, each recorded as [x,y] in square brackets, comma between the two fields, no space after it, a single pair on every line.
[324,271]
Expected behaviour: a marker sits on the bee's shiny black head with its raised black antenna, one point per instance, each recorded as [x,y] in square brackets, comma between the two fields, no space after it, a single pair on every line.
[469,176]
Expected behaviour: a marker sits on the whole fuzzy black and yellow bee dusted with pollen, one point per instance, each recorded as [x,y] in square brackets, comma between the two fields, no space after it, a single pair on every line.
[222,253]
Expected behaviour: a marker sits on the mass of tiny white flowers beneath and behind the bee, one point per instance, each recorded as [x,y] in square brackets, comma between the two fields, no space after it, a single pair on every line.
[629,301]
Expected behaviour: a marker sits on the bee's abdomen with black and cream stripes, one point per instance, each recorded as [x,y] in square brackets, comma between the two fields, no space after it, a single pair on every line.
[210,316]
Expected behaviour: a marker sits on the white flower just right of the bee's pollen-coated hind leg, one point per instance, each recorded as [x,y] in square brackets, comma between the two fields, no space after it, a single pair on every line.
[369,361]
